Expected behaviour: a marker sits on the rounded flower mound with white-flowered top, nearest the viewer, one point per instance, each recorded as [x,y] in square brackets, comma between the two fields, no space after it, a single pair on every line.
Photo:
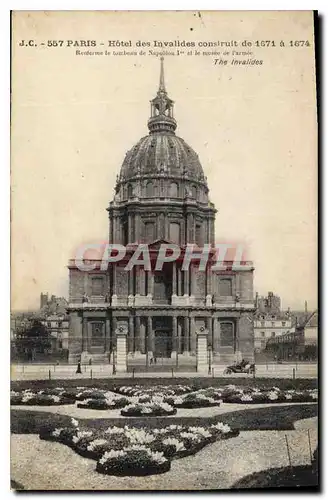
[134,461]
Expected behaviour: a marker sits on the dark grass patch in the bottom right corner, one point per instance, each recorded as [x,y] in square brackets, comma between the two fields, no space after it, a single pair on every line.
[283,477]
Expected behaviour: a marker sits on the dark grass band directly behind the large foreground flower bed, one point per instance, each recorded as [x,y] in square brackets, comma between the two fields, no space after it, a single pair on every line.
[280,417]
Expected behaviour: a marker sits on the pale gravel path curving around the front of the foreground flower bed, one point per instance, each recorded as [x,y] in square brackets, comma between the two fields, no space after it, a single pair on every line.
[42,465]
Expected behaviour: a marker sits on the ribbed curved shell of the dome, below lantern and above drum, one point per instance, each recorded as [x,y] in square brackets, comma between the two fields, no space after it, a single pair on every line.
[162,153]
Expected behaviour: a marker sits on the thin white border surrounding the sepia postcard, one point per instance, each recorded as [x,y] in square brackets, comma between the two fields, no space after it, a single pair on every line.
[5,8]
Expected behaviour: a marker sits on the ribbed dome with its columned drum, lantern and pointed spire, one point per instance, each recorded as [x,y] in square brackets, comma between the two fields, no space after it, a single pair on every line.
[161,191]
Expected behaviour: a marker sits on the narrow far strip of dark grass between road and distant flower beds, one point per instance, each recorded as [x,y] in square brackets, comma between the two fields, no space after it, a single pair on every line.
[261,383]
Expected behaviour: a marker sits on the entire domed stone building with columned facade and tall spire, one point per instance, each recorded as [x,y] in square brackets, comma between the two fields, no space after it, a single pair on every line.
[161,197]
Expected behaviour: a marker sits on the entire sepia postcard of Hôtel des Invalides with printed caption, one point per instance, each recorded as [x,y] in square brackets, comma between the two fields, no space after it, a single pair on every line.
[164,317]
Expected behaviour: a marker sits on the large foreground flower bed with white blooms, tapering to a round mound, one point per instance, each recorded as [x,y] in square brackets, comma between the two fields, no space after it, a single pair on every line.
[137,451]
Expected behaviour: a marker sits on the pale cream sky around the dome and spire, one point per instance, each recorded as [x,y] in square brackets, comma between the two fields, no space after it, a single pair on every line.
[253,127]
